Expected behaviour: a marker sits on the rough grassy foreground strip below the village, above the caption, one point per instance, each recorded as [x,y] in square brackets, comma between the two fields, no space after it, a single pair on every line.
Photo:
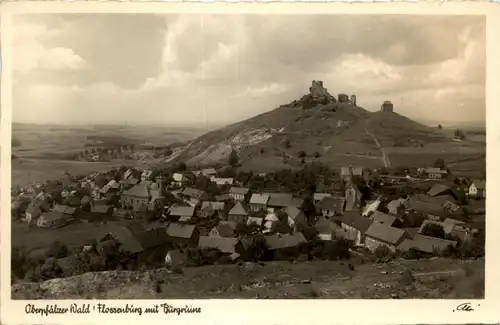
[432,279]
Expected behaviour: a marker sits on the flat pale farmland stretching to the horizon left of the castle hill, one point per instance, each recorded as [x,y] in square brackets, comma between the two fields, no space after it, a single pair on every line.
[39,147]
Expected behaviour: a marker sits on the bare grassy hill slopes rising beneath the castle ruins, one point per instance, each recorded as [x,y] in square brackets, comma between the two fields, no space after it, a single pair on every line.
[330,132]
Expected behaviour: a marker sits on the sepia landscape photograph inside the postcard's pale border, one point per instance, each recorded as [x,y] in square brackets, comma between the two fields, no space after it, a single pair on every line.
[247,156]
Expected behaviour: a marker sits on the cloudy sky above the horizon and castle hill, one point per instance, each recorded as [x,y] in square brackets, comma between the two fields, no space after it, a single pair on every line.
[218,69]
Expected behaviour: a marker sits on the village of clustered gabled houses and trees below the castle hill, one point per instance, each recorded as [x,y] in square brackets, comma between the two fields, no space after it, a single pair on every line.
[179,217]
